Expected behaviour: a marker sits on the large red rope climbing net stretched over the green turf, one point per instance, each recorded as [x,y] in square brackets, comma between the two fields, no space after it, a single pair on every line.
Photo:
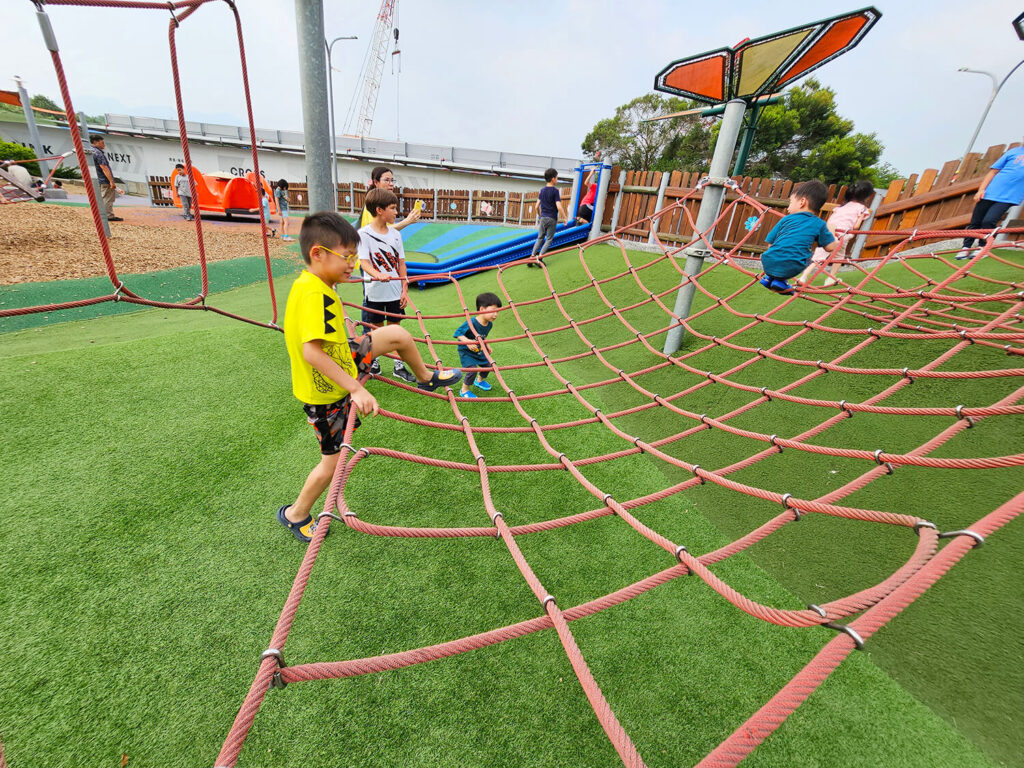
[868,307]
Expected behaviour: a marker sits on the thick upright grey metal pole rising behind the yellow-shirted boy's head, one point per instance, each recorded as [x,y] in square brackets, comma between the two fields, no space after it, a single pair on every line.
[313,82]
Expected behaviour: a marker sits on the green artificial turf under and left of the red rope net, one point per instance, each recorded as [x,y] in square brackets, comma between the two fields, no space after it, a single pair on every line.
[144,574]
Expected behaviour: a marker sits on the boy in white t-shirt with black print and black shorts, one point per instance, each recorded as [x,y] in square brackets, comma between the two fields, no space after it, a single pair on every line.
[382,259]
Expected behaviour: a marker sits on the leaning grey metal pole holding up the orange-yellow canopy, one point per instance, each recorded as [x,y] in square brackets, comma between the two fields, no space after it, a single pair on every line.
[711,203]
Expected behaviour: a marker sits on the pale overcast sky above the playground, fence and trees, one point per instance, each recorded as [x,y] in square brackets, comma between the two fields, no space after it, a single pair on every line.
[531,77]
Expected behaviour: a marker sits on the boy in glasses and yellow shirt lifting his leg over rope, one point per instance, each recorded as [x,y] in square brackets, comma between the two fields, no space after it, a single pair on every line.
[326,364]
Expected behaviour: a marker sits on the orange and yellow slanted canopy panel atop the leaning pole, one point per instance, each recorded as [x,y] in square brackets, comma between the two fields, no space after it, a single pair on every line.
[764,65]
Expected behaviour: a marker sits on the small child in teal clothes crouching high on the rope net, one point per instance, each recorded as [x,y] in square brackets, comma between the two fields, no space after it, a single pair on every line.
[792,241]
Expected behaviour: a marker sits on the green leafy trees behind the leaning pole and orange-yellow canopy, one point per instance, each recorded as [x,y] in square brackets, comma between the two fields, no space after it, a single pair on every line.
[801,138]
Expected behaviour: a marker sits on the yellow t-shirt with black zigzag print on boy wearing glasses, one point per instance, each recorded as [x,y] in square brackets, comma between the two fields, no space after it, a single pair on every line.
[315,312]
